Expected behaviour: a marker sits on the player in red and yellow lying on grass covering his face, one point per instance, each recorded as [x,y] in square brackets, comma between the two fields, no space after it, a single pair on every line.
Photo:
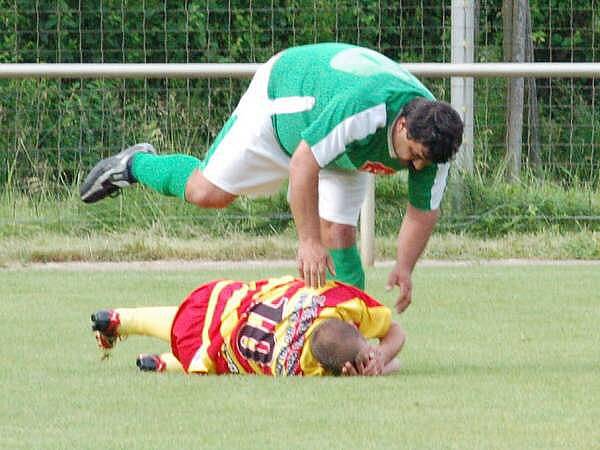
[275,327]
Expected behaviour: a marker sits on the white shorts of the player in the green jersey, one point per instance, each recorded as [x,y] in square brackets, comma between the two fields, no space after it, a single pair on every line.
[246,158]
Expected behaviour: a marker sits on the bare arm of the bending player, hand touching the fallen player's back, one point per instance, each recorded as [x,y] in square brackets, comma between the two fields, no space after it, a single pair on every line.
[313,257]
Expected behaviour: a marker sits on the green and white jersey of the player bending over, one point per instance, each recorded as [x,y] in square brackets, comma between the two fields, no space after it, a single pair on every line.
[343,101]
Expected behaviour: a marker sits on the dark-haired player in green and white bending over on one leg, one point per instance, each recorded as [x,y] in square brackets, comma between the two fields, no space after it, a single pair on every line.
[323,115]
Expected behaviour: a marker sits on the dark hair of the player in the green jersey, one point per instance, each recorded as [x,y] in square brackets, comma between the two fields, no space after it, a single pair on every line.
[436,125]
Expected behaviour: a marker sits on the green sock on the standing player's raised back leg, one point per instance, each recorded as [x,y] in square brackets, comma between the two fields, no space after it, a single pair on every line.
[167,174]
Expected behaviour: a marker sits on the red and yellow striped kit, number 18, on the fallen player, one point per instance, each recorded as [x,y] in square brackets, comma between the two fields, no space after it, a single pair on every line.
[263,327]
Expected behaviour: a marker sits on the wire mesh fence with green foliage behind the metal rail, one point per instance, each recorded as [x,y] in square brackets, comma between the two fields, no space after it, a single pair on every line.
[54,129]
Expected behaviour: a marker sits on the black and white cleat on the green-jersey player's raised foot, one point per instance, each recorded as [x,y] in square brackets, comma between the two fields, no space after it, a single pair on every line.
[111,174]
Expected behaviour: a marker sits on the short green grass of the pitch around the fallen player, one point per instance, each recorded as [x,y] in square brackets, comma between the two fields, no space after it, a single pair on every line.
[496,357]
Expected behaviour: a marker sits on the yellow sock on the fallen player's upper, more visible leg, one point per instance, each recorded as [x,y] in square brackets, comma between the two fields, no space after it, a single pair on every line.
[152,321]
